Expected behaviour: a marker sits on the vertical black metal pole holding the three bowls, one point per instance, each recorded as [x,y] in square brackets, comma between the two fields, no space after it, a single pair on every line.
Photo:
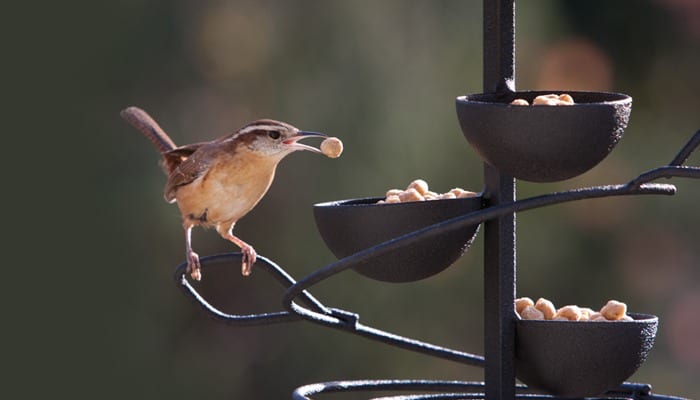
[499,254]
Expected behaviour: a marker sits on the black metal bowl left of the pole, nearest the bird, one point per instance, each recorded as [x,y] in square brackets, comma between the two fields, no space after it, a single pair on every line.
[350,226]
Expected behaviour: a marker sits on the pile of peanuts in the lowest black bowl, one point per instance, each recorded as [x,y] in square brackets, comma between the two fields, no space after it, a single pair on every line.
[544,309]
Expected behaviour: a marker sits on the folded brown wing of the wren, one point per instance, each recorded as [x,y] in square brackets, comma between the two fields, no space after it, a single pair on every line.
[190,166]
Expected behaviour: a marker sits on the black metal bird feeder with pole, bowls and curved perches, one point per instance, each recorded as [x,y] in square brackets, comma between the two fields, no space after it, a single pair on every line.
[409,242]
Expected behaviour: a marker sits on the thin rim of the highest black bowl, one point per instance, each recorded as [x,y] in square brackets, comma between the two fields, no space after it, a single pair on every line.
[616,98]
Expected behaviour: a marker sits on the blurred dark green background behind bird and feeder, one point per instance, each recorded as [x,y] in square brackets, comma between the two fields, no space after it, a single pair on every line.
[91,309]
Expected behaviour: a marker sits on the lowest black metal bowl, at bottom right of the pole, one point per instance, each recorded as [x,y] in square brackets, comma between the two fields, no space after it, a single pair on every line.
[581,358]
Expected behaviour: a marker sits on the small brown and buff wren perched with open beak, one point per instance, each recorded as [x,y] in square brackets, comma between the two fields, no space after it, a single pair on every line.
[216,183]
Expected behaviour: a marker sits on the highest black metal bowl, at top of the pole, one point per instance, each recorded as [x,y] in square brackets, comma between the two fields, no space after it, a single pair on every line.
[543,143]
